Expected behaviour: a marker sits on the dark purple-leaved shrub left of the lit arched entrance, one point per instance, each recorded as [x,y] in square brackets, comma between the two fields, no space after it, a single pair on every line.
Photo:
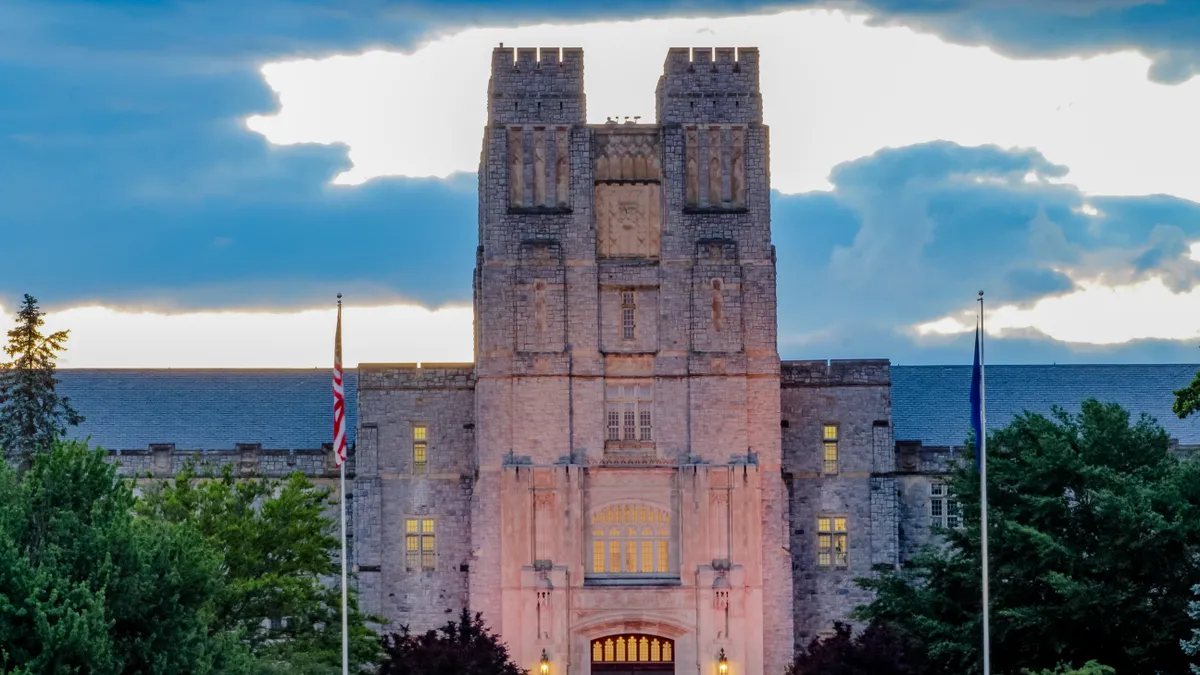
[460,648]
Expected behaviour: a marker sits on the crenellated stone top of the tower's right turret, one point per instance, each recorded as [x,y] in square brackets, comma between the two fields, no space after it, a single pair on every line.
[703,85]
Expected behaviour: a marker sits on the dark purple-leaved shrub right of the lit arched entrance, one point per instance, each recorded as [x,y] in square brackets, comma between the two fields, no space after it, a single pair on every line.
[878,650]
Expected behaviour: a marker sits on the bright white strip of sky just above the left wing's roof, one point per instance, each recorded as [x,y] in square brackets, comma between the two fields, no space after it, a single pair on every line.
[107,338]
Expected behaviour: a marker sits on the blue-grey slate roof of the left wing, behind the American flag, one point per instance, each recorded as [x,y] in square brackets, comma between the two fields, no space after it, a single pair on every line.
[208,410]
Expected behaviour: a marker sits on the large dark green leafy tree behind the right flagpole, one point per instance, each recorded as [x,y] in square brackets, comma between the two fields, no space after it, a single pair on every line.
[1094,533]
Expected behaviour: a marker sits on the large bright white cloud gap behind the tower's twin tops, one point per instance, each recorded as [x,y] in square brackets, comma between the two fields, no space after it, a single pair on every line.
[835,89]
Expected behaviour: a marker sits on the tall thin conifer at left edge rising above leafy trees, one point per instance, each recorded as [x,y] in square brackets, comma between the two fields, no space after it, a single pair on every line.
[32,413]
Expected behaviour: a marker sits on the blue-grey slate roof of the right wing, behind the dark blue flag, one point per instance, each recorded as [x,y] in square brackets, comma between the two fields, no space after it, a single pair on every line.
[933,405]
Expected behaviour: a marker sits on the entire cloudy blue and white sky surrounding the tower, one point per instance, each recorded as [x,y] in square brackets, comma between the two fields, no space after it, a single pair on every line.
[190,184]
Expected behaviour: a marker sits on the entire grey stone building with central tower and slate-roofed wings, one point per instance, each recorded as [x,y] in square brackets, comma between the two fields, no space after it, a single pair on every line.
[627,477]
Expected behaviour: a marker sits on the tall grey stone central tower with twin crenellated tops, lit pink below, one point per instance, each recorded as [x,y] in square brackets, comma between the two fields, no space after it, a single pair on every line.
[628,504]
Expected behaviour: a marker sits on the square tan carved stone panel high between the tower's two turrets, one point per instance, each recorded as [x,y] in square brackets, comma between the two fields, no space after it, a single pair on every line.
[628,220]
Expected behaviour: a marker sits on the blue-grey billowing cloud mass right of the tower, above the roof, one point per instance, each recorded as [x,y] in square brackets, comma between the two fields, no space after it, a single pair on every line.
[910,235]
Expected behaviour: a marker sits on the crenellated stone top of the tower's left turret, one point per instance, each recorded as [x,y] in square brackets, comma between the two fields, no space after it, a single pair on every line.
[532,86]
